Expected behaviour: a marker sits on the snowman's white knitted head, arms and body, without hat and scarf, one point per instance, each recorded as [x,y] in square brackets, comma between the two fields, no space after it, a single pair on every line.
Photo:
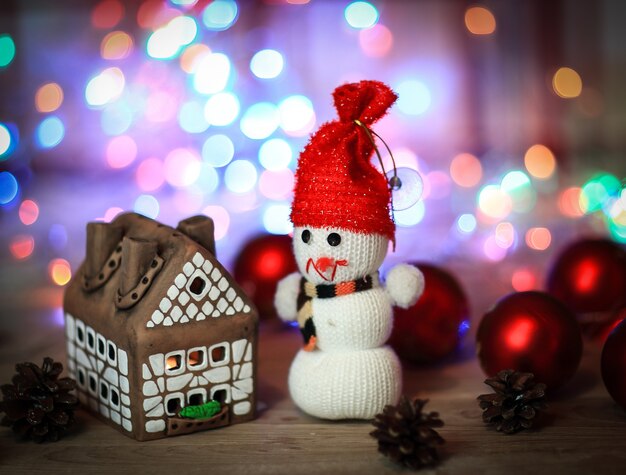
[350,375]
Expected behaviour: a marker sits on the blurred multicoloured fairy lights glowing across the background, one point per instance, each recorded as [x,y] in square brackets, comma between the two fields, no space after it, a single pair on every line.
[168,78]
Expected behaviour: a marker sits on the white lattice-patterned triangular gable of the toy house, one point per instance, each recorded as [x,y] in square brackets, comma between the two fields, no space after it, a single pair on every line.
[198,292]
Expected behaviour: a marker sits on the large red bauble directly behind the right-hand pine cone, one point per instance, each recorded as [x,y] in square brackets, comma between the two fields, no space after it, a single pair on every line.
[530,332]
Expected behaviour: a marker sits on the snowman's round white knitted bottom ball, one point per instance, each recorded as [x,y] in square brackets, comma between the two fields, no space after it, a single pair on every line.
[345,384]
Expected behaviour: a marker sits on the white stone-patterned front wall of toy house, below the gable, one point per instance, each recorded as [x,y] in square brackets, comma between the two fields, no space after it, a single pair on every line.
[173,380]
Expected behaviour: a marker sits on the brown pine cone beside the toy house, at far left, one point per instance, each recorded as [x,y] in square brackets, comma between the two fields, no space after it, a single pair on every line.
[37,404]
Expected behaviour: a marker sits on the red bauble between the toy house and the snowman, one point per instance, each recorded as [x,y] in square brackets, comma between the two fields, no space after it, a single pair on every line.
[262,262]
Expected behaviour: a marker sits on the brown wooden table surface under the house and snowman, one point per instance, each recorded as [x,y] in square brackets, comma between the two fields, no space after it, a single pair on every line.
[584,432]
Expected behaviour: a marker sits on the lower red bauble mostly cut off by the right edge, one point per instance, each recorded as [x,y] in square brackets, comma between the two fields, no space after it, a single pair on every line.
[614,364]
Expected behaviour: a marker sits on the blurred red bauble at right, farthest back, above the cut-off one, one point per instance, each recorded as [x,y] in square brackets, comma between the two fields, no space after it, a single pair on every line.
[590,276]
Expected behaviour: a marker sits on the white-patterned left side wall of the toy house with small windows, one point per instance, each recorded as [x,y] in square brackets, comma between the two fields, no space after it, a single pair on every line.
[101,371]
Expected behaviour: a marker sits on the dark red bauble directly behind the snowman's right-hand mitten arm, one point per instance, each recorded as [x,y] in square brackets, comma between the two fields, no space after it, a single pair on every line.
[432,328]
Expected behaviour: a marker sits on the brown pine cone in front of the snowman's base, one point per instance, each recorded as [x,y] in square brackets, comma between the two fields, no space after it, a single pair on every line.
[405,434]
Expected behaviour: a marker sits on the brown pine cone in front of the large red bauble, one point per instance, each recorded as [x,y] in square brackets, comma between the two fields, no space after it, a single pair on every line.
[515,403]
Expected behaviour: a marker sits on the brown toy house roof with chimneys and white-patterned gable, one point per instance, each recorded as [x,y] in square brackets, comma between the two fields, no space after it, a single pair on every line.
[138,266]
